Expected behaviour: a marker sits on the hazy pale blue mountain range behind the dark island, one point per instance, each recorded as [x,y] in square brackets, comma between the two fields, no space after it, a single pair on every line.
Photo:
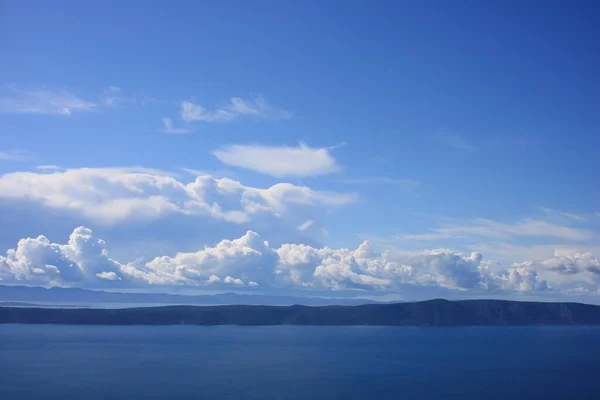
[83,296]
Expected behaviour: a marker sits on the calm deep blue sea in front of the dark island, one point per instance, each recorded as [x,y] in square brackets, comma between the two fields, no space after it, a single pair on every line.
[298,362]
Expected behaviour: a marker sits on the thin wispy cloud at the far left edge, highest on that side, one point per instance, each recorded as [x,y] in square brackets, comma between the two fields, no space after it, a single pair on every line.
[42,101]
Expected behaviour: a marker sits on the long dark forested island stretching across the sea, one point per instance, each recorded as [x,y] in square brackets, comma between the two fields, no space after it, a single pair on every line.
[424,313]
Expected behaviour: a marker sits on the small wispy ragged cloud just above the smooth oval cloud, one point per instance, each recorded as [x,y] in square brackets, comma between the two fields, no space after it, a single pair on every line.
[237,107]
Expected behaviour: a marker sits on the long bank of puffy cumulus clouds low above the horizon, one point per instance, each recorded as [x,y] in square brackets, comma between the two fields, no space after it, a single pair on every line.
[249,261]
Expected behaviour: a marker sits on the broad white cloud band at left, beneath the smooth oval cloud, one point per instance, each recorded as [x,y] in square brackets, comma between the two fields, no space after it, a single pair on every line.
[113,195]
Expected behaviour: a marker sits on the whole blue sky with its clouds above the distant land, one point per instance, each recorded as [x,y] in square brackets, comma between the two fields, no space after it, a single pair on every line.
[395,149]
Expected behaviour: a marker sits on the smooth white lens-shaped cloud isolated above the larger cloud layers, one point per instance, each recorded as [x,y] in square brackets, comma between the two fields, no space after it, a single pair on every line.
[279,161]
